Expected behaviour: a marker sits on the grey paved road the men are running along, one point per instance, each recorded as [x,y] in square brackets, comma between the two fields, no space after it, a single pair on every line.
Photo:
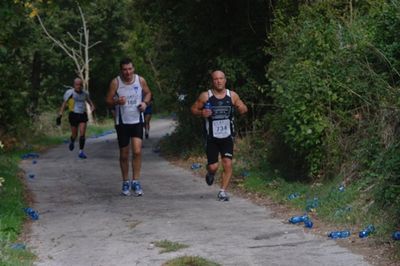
[85,221]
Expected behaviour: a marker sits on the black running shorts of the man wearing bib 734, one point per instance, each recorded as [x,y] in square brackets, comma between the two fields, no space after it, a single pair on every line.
[215,146]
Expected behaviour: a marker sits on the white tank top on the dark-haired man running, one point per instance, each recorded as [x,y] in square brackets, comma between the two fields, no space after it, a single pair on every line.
[129,113]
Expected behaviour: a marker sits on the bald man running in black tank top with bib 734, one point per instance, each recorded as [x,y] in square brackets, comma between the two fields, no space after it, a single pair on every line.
[216,106]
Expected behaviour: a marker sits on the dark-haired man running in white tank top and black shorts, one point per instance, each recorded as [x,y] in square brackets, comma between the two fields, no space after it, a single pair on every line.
[129,95]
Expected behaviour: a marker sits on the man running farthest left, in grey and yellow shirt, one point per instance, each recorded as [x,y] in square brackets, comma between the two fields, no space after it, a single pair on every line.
[76,99]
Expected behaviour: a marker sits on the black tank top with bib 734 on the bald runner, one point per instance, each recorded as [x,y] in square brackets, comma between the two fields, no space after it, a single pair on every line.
[220,124]
